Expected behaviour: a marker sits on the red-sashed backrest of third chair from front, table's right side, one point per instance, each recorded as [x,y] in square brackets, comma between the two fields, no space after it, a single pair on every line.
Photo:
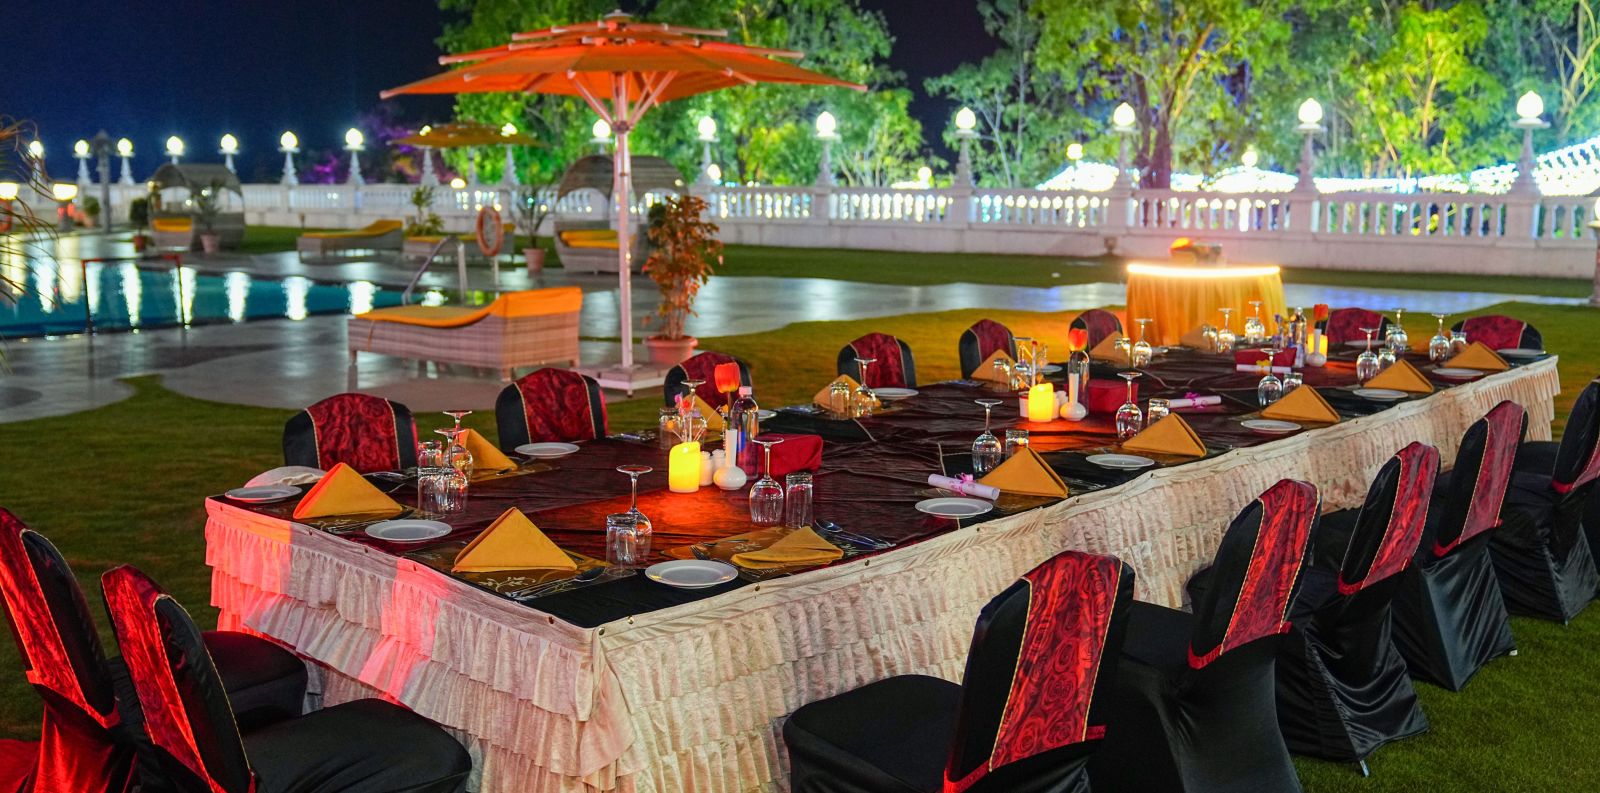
[1393,519]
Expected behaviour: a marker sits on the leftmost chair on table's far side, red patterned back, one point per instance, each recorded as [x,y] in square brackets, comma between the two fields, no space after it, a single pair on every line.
[369,434]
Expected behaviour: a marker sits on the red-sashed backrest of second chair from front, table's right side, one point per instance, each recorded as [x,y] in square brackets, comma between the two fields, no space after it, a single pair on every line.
[1257,572]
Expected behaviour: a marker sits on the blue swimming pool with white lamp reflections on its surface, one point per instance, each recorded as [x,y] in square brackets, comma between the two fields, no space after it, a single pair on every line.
[122,297]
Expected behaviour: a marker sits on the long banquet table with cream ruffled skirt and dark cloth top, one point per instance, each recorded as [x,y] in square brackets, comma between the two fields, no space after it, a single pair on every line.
[631,685]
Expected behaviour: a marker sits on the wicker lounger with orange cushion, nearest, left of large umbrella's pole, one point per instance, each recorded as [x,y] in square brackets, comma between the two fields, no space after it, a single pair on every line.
[527,329]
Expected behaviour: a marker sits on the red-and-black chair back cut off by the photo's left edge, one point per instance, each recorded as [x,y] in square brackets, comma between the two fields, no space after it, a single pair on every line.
[63,660]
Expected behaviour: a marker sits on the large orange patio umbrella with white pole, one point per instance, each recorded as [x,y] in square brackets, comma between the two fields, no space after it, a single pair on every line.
[623,70]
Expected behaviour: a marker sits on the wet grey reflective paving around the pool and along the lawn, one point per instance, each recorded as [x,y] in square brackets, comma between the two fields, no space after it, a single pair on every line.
[289,364]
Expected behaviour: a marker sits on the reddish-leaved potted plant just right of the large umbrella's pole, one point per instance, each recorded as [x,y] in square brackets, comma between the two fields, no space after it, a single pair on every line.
[682,252]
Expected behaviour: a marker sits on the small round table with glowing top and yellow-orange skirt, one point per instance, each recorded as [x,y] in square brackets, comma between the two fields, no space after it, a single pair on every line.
[1185,297]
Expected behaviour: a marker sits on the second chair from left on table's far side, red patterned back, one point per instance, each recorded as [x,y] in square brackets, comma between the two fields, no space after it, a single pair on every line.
[550,405]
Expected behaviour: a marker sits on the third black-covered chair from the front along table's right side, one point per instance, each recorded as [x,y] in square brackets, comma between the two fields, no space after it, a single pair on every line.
[1343,687]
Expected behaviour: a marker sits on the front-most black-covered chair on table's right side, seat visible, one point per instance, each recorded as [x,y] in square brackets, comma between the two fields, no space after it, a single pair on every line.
[1025,719]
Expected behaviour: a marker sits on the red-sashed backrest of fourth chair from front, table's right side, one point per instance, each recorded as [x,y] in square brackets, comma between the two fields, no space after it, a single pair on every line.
[1478,485]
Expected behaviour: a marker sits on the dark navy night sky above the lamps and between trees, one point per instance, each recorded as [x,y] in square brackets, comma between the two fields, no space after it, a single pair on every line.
[198,70]
